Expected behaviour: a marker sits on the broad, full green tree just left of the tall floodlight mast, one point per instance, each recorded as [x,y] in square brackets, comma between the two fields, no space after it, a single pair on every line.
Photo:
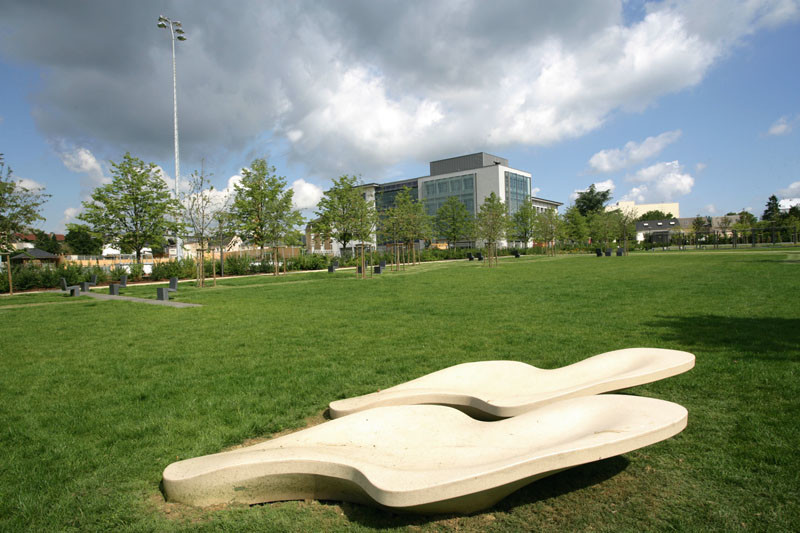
[134,210]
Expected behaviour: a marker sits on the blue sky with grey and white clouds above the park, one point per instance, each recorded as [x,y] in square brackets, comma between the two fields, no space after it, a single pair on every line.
[689,101]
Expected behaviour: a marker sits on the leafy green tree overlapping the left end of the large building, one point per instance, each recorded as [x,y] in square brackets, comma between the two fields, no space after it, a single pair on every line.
[337,210]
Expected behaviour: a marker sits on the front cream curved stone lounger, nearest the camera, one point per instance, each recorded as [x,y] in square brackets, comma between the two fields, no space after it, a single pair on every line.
[425,458]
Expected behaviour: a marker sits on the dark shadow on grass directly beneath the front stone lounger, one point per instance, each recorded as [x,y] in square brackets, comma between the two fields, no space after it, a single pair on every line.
[544,489]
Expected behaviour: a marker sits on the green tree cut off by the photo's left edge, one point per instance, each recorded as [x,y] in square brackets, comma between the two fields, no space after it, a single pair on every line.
[19,208]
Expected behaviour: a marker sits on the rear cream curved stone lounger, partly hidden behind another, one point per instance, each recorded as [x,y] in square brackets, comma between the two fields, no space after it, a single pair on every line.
[490,390]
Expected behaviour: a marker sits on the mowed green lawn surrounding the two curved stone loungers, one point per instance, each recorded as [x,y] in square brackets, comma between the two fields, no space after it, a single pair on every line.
[97,397]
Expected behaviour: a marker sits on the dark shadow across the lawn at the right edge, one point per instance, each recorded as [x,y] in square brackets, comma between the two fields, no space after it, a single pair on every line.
[765,338]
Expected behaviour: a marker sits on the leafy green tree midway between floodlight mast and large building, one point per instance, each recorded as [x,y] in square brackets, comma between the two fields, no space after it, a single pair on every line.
[263,208]
